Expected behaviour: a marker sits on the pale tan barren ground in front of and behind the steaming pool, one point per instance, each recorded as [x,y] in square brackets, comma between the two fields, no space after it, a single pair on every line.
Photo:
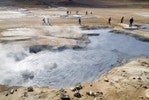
[127,82]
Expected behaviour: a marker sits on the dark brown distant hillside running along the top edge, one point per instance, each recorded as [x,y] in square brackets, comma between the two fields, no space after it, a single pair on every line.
[95,3]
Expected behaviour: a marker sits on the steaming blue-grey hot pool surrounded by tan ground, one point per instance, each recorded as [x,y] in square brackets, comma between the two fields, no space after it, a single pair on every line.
[68,67]
